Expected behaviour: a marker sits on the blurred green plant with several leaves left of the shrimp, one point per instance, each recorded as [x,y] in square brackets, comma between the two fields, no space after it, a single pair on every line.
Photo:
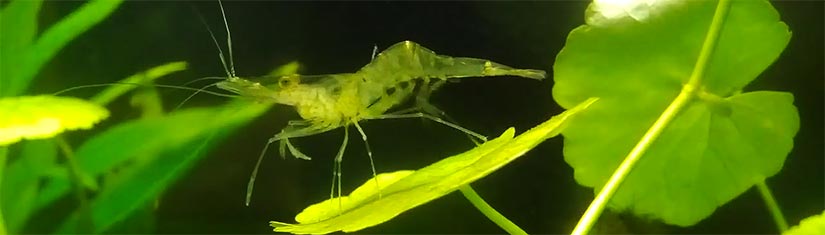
[134,174]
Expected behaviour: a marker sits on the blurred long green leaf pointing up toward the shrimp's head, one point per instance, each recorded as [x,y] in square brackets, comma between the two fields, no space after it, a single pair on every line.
[149,137]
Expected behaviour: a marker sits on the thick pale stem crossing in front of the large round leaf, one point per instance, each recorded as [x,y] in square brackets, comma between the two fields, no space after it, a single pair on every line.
[684,98]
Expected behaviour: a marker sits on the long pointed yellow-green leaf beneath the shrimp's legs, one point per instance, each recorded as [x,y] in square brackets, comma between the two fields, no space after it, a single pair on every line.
[404,190]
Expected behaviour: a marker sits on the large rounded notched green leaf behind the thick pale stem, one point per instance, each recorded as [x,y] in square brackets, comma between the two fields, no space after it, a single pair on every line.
[637,59]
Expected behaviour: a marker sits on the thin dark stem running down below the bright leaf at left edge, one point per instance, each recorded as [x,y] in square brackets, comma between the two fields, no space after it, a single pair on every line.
[86,225]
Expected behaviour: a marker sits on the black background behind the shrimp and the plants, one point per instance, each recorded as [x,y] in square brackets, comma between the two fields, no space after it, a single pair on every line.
[537,192]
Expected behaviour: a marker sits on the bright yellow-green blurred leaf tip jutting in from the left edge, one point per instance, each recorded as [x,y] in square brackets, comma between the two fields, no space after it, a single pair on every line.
[40,117]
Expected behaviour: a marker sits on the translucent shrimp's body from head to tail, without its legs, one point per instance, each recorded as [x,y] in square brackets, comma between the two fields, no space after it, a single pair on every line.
[384,83]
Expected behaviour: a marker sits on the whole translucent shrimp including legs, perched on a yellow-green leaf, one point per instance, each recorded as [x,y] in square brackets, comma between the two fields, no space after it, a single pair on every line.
[402,72]
